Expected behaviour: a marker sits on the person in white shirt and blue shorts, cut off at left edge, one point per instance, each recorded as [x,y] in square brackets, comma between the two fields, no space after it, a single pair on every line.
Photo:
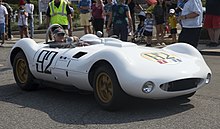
[3,21]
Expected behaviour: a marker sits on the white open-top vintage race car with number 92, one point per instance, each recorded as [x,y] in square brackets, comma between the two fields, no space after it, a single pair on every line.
[112,69]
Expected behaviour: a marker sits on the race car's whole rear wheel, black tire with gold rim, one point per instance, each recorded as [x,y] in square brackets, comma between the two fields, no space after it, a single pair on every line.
[22,74]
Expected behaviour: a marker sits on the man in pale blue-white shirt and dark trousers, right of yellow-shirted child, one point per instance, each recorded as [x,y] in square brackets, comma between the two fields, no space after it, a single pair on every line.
[191,18]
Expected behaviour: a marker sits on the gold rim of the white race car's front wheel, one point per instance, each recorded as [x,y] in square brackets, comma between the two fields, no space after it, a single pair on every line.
[104,87]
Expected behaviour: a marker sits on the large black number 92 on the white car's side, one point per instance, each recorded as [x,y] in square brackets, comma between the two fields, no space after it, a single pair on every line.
[44,61]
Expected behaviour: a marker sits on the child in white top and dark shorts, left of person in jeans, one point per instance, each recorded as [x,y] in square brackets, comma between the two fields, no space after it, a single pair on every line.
[22,22]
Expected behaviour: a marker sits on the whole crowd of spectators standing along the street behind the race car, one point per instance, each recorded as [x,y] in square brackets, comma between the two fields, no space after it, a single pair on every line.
[118,17]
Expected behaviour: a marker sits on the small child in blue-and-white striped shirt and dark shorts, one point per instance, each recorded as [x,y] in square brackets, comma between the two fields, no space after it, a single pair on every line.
[148,28]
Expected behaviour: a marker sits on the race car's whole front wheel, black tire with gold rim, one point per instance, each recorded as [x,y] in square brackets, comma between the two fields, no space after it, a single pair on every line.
[107,90]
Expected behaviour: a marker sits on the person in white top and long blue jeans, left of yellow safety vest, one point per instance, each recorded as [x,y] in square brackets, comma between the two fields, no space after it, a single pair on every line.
[29,8]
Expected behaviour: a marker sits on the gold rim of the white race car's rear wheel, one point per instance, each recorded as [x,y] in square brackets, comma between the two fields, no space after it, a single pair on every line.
[22,70]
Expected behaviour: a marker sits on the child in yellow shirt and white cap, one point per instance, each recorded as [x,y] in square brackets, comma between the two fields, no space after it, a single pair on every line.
[172,21]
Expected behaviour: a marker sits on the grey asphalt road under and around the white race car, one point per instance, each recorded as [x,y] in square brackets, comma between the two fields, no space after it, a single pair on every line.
[51,108]
